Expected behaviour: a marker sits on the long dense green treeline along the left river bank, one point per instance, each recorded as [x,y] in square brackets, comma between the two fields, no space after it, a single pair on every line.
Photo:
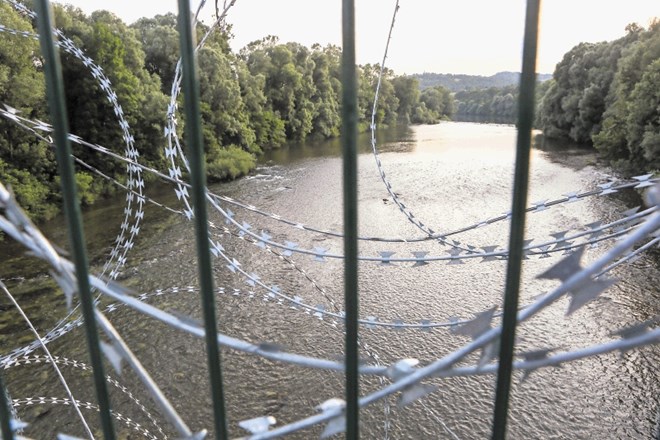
[253,100]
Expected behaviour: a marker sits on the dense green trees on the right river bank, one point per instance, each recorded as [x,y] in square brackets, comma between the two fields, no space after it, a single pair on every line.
[608,94]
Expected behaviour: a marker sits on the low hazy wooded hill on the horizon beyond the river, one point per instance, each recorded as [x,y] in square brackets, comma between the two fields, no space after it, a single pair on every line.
[457,83]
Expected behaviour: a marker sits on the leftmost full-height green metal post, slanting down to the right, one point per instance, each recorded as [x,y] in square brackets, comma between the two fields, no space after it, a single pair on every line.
[56,104]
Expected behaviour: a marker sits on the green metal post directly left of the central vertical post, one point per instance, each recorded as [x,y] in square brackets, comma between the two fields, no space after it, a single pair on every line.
[195,147]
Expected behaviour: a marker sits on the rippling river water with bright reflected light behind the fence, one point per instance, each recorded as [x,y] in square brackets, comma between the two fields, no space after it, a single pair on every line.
[449,175]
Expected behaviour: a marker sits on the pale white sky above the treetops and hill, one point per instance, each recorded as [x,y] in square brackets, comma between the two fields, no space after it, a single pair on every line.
[477,37]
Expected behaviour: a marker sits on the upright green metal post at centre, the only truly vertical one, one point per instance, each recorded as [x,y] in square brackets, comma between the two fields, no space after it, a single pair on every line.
[349,150]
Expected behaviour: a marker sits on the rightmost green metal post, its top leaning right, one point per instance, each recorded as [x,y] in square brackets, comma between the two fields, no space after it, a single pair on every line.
[516,236]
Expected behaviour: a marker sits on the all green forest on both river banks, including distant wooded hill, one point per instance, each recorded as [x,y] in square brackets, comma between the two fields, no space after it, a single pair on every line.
[602,94]
